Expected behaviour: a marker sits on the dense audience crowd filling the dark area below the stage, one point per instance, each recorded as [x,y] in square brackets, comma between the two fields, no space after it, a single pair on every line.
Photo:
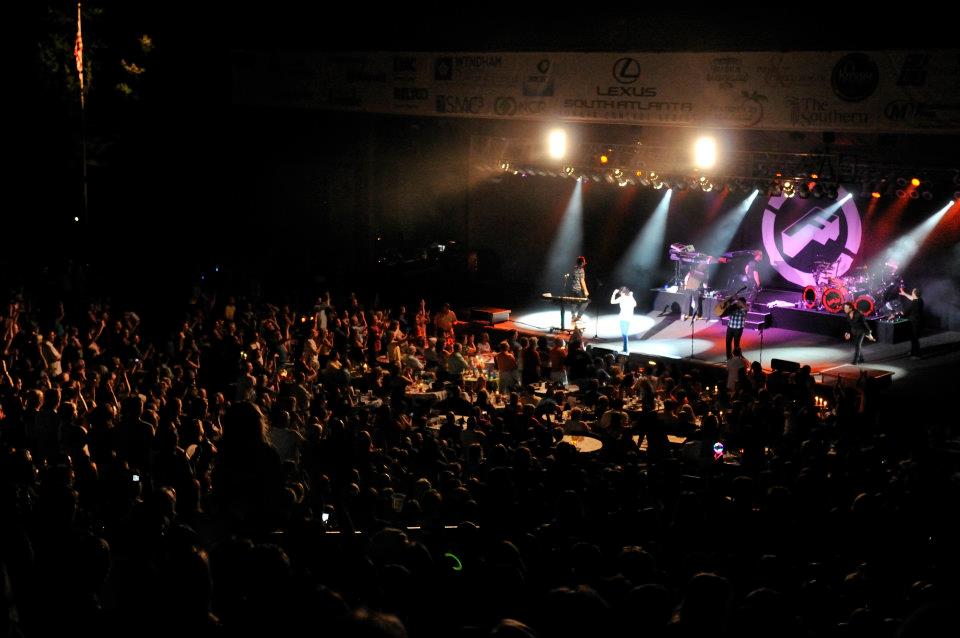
[365,471]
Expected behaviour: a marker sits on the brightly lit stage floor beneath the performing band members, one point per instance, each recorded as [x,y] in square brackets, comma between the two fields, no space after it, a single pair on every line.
[667,336]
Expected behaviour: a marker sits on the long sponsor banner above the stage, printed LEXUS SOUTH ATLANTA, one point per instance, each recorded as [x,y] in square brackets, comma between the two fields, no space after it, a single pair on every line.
[817,91]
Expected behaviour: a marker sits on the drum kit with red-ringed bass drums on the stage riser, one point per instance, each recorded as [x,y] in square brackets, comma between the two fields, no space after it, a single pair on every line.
[871,292]
